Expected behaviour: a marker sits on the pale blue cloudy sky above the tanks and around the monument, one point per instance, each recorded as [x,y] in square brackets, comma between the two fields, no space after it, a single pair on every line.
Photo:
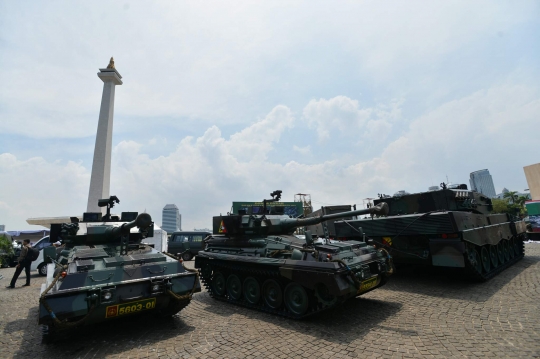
[229,101]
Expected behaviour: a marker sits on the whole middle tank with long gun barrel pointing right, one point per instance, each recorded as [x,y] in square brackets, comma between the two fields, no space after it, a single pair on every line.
[254,260]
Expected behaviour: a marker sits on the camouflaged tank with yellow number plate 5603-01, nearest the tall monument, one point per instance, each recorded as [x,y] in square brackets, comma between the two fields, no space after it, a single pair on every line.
[103,272]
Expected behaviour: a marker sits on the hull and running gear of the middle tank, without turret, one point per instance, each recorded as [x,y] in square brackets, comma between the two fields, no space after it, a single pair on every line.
[324,283]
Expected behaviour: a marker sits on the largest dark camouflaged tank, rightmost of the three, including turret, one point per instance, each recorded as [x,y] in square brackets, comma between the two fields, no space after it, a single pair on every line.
[445,228]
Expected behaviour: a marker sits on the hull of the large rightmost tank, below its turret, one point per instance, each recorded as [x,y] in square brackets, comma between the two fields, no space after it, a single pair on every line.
[446,239]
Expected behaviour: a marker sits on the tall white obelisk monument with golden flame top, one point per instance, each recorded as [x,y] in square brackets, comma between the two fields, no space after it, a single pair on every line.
[100,180]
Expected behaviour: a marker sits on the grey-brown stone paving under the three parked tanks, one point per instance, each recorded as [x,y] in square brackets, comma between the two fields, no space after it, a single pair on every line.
[419,313]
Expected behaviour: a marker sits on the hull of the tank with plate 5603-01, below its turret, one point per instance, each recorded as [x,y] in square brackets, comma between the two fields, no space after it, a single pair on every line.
[97,289]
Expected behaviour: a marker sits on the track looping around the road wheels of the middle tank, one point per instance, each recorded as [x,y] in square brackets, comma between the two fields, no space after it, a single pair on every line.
[263,274]
